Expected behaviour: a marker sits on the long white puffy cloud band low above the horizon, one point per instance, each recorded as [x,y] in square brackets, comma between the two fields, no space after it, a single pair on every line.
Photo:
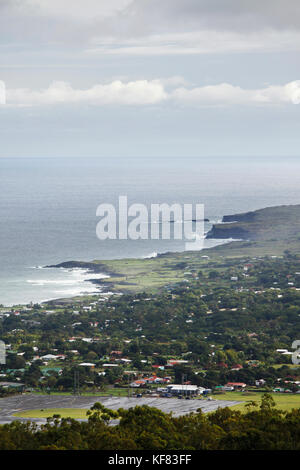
[153,92]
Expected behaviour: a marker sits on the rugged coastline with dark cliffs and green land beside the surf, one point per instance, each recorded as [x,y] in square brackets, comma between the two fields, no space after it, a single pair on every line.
[265,232]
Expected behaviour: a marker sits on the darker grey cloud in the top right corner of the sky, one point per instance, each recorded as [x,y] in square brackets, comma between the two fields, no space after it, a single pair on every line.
[216,14]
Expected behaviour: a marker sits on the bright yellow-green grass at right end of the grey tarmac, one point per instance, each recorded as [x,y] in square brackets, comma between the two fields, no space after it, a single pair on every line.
[284,401]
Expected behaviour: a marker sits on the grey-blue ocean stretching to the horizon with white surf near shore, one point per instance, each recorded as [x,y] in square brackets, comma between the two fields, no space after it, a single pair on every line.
[48,209]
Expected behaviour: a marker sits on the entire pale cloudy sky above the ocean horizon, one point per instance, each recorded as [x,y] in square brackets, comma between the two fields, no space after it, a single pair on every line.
[149,78]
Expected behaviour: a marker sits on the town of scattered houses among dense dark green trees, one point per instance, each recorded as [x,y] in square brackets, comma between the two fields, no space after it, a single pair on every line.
[221,333]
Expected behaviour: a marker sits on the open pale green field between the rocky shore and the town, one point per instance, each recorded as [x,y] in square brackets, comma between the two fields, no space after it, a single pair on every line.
[153,275]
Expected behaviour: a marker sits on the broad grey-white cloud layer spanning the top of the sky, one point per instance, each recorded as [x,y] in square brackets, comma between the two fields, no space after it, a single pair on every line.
[153,27]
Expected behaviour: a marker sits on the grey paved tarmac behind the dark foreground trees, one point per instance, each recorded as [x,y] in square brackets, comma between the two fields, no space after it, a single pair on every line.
[11,405]
